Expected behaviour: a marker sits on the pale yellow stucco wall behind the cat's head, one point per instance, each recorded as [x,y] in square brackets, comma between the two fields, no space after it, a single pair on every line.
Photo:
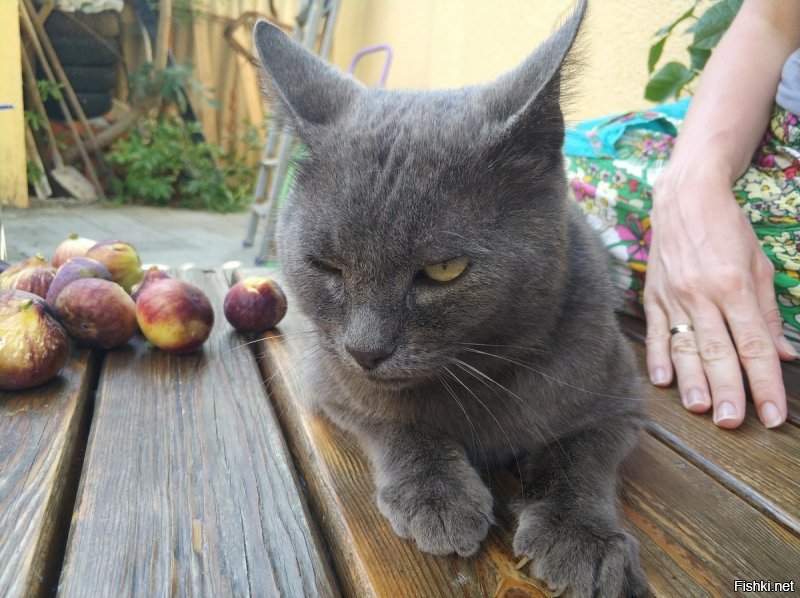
[445,43]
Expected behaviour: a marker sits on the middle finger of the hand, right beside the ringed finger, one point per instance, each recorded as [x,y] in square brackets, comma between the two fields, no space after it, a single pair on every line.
[720,363]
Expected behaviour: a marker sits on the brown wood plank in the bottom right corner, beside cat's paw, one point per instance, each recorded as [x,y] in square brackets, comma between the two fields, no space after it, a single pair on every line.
[706,530]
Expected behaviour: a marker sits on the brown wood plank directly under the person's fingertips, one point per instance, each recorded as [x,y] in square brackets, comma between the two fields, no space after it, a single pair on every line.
[760,465]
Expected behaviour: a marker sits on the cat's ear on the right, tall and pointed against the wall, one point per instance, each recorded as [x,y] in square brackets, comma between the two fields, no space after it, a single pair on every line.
[525,103]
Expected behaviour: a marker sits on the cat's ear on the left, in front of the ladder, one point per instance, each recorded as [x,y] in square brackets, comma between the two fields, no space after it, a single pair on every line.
[302,88]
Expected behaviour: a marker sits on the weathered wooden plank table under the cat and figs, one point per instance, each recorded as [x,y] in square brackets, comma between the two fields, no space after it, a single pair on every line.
[148,474]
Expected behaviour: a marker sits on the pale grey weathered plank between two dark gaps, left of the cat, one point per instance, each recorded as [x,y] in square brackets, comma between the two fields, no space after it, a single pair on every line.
[187,487]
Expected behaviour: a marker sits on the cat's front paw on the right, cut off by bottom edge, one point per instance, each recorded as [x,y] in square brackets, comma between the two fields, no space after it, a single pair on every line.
[579,554]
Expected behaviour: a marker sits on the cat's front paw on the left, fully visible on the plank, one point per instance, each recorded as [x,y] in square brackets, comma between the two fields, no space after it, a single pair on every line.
[441,516]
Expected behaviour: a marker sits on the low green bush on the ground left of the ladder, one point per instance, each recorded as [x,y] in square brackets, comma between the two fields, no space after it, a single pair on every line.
[162,163]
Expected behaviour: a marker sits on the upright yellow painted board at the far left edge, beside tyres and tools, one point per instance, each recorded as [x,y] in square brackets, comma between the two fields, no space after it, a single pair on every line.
[13,182]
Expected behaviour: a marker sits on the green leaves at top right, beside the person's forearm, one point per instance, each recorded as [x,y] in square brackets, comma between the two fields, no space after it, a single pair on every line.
[674,79]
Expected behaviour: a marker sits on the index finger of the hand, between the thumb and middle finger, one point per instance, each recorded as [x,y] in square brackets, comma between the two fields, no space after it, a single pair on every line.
[759,357]
